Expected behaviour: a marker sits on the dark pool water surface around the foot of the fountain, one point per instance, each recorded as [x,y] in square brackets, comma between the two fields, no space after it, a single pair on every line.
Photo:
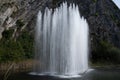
[98,74]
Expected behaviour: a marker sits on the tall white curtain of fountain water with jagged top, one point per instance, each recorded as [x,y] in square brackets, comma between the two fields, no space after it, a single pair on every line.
[61,42]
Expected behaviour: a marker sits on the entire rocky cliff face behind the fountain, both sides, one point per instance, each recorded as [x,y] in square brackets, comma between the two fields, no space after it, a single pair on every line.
[103,17]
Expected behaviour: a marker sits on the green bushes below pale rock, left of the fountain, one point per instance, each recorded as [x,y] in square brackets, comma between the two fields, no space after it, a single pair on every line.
[20,49]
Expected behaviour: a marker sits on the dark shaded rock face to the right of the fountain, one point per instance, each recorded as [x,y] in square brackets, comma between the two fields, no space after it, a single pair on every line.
[104,22]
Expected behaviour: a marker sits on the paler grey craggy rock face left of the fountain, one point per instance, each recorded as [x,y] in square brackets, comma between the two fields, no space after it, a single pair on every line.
[17,14]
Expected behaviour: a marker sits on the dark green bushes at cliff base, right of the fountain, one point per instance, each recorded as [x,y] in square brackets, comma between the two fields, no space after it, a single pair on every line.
[106,53]
